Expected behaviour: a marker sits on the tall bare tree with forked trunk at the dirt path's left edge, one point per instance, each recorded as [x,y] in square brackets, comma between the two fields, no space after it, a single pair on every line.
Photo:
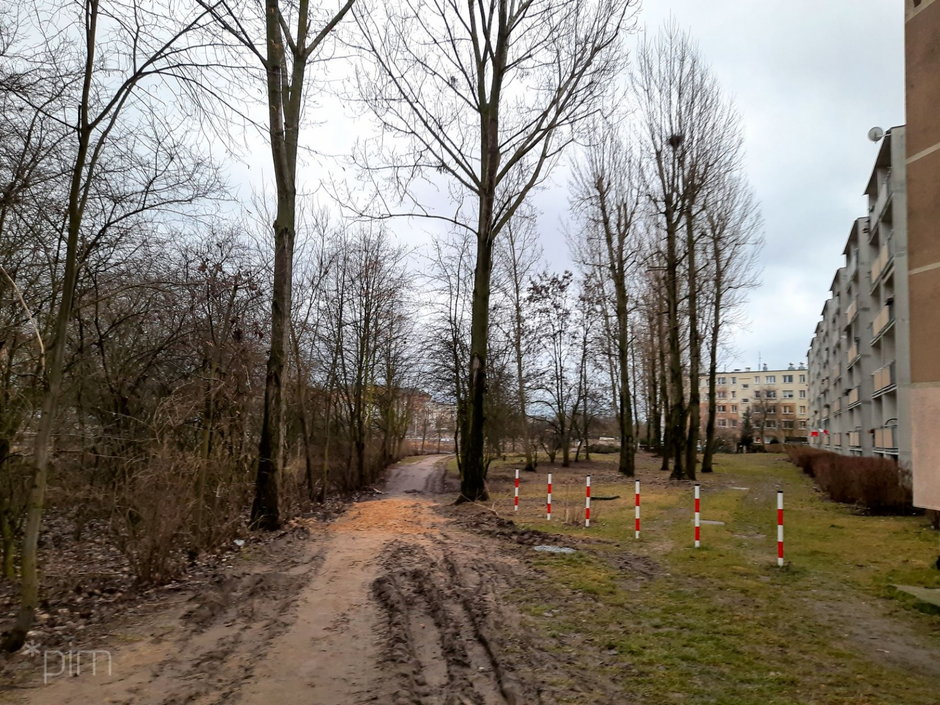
[284,38]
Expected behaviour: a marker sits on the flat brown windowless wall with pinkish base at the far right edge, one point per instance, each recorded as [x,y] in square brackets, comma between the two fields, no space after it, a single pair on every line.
[922,62]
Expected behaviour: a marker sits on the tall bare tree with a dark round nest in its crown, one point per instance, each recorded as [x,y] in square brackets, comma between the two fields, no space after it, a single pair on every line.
[692,138]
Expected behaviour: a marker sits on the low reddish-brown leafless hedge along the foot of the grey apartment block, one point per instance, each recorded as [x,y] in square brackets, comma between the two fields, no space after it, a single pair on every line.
[874,483]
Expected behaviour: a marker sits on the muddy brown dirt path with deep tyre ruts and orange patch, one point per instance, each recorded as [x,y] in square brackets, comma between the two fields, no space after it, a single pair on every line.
[391,603]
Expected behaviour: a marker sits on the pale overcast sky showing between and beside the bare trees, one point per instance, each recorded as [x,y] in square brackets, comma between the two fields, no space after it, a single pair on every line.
[809,79]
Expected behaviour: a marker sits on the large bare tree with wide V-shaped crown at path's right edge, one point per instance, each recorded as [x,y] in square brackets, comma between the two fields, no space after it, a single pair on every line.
[485,94]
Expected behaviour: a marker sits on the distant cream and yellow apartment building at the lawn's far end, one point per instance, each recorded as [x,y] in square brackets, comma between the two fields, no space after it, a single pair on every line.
[777,401]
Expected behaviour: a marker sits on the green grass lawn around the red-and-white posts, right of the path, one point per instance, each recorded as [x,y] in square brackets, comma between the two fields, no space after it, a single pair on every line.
[665,622]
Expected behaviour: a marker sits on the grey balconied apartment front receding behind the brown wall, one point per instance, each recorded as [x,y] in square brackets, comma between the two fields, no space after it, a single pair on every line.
[859,366]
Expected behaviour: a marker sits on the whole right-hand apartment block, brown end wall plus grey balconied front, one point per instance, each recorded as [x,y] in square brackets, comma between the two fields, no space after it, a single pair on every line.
[874,369]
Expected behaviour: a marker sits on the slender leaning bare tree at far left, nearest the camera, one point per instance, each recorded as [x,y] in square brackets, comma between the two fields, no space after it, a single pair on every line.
[144,51]
